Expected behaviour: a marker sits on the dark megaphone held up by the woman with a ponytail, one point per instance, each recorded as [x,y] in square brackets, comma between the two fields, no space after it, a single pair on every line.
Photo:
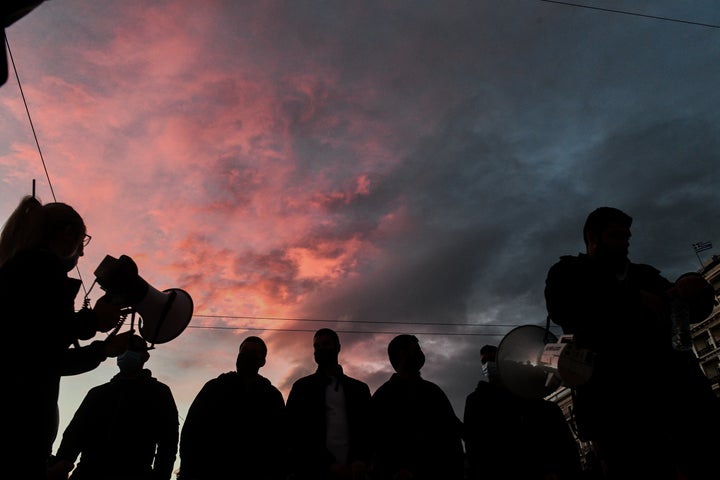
[164,314]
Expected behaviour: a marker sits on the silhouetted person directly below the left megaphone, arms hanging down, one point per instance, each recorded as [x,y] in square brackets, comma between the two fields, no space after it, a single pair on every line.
[126,429]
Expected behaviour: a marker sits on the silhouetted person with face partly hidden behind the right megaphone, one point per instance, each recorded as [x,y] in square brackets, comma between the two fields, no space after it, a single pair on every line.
[510,437]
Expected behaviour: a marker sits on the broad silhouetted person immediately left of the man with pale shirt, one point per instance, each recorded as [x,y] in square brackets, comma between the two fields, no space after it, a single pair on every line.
[235,427]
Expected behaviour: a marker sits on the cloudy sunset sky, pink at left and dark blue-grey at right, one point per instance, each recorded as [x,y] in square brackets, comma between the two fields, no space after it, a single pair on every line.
[373,167]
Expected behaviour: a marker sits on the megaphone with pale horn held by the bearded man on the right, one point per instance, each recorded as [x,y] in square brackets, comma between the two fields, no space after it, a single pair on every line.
[532,362]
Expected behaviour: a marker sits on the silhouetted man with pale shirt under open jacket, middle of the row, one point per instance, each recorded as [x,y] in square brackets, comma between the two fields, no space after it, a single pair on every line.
[328,415]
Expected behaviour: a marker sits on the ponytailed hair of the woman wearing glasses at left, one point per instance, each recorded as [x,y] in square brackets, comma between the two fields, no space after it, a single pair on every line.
[33,224]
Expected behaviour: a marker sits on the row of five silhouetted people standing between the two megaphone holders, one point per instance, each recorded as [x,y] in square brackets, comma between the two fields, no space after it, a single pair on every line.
[332,427]
